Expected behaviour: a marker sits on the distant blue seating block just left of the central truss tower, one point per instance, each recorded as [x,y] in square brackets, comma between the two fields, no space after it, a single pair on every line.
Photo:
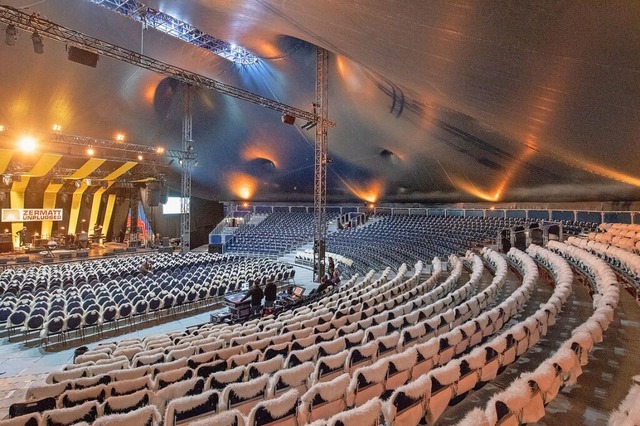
[277,234]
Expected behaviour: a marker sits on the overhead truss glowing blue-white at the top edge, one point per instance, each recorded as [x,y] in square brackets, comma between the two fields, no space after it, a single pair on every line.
[174,27]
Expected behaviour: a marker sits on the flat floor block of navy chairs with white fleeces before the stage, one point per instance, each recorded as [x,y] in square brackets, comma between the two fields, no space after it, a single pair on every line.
[59,299]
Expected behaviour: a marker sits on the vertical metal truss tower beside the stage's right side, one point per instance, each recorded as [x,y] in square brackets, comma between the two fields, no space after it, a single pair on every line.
[187,164]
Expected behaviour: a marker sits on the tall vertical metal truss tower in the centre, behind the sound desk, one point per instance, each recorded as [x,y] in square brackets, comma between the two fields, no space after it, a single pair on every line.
[320,170]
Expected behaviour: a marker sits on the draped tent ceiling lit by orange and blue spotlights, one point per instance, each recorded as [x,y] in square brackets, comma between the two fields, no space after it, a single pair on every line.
[434,101]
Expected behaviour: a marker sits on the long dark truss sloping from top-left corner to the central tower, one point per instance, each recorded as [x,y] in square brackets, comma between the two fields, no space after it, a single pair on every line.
[51,30]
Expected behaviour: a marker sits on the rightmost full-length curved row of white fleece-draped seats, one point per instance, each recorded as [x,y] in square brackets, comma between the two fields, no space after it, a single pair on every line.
[524,400]
